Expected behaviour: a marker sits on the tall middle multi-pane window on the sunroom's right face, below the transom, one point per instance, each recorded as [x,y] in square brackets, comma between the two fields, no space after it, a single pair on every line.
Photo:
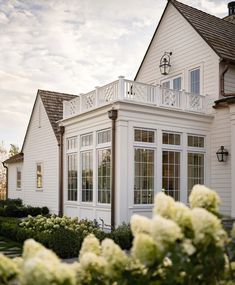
[171,173]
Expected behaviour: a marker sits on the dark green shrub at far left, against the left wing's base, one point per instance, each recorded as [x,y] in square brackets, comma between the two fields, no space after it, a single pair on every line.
[15,208]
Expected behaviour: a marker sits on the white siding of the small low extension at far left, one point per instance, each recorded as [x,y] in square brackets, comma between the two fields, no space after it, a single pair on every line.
[13,192]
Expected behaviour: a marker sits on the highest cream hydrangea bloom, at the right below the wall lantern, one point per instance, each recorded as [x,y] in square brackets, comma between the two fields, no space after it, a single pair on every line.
[203,197]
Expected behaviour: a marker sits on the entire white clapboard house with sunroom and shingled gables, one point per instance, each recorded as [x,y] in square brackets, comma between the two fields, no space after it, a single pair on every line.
[123,142]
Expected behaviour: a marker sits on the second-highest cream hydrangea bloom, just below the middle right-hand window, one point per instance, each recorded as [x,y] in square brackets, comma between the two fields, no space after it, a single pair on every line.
[164,205]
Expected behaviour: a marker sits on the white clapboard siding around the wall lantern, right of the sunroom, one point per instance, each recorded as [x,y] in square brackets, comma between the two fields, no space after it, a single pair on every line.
[220,171]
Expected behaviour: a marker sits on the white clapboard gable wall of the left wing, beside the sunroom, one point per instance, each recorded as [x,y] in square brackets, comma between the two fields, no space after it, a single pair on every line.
[41,146]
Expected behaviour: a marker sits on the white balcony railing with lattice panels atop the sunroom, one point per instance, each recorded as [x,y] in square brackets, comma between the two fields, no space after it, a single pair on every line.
[135,92]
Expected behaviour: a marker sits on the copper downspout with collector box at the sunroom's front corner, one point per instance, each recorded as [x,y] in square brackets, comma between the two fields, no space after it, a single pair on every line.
[113,116]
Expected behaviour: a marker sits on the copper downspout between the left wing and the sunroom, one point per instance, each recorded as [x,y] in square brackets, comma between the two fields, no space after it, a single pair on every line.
[61,170]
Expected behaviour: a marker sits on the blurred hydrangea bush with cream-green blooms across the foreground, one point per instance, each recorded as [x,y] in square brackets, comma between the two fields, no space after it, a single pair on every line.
[179,245]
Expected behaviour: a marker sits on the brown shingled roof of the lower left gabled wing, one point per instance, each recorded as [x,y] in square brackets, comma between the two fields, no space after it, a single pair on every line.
[53,104]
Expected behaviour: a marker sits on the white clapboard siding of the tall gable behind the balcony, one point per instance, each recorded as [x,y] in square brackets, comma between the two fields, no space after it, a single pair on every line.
[189,51]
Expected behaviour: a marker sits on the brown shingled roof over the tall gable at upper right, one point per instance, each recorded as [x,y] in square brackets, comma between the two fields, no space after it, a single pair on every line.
[218,33]
